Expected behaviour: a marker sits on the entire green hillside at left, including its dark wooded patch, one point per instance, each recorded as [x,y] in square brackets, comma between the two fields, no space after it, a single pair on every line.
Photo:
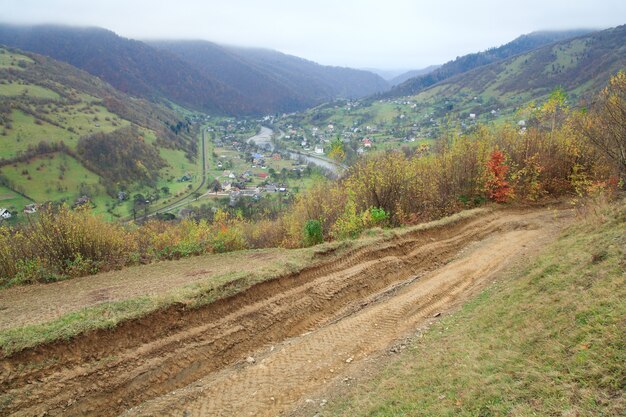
[57,124]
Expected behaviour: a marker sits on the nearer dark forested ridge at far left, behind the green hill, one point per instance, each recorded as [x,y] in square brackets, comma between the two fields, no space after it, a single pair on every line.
[130,66]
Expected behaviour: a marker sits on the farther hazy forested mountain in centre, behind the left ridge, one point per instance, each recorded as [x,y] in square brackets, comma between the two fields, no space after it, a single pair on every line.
[280,81]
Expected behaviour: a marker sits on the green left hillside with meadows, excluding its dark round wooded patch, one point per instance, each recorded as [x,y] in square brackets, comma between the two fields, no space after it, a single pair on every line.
[51,104]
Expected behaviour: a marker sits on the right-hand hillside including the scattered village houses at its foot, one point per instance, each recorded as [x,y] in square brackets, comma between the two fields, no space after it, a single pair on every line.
[491,93]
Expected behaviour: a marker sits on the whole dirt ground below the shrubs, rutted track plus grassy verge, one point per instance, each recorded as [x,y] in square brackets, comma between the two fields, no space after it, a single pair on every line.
[323,311]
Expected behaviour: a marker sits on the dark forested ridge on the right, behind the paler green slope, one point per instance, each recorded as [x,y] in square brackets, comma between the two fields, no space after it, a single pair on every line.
[466,63]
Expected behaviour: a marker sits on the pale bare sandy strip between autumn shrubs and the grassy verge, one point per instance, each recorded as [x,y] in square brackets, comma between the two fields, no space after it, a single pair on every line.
[20,306]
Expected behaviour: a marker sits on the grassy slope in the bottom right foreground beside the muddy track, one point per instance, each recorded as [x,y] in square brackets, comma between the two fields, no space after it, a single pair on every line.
[549,340]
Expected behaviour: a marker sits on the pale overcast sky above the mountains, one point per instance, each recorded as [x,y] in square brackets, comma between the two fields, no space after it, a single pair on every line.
[386,34]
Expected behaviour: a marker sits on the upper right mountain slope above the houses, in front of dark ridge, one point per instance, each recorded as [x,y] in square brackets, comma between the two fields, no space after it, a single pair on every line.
[579,65]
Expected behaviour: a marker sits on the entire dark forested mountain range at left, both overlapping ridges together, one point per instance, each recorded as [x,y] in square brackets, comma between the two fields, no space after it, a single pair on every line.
[198,75]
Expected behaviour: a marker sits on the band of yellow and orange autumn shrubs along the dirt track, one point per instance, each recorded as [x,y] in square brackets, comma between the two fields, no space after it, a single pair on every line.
[561,152]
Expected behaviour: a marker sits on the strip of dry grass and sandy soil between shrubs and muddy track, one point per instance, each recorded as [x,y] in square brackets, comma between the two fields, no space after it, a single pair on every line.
[62,310]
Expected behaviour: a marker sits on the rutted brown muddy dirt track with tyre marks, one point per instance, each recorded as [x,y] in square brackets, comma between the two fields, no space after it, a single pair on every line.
[299,333]
